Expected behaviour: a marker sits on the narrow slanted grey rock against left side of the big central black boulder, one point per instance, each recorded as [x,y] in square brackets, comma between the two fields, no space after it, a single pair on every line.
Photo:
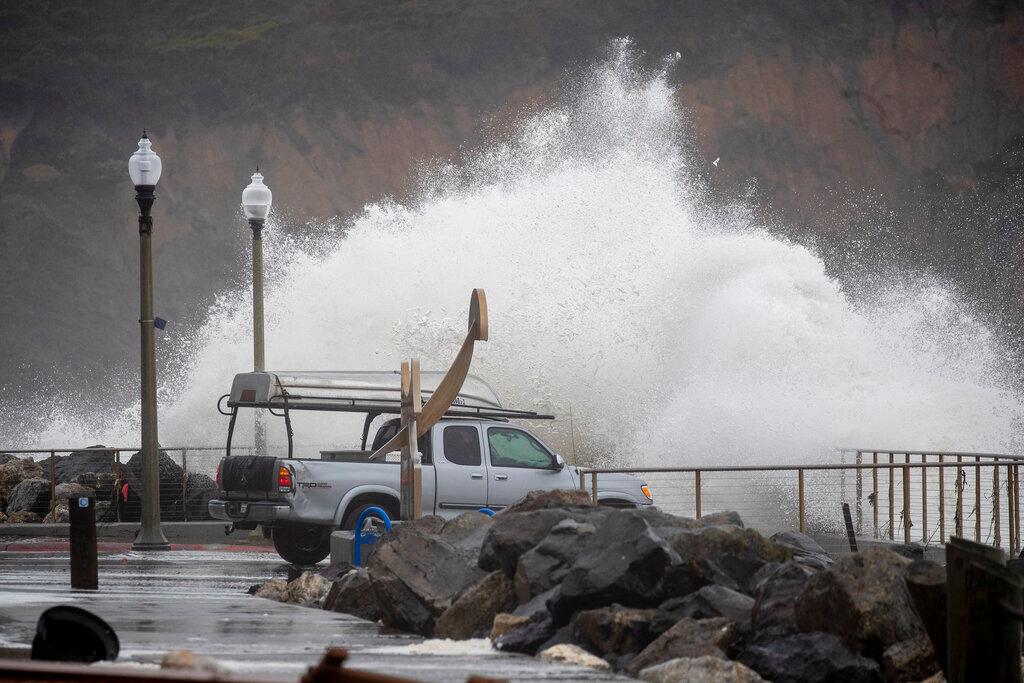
[544,567]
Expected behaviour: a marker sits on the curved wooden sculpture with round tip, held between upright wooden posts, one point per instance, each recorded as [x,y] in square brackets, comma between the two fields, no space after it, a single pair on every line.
[419,421]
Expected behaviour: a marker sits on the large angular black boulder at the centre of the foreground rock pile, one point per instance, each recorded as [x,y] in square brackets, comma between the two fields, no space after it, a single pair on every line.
[624,562]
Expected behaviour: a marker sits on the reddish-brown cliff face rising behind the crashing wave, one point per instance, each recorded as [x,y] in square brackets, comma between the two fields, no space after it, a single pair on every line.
[846,117]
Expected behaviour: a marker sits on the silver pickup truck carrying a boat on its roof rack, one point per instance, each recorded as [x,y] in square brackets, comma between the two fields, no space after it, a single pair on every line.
[474,458]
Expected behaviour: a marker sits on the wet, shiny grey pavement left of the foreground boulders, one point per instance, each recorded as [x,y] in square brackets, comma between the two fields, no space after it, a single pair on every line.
[197,601]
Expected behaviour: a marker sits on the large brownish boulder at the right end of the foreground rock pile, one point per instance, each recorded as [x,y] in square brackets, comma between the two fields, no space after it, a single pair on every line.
[864,600]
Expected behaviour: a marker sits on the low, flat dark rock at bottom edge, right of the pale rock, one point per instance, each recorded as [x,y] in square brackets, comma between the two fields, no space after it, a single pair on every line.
[809,658]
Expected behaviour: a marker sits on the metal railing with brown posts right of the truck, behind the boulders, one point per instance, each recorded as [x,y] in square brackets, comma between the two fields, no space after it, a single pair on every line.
[908,496]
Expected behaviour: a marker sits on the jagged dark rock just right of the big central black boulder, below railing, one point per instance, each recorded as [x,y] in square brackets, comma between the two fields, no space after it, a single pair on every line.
[727,556]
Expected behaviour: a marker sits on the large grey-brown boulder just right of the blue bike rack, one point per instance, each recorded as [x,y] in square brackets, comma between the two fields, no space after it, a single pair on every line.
[416,575]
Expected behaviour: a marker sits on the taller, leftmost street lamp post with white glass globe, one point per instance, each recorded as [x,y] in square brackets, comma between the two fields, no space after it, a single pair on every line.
[145,167]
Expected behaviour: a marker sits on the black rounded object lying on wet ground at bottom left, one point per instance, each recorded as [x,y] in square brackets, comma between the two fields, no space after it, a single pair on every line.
[72,634]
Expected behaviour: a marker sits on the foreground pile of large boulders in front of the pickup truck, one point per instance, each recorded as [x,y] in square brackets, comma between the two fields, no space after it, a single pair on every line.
[650,594]
